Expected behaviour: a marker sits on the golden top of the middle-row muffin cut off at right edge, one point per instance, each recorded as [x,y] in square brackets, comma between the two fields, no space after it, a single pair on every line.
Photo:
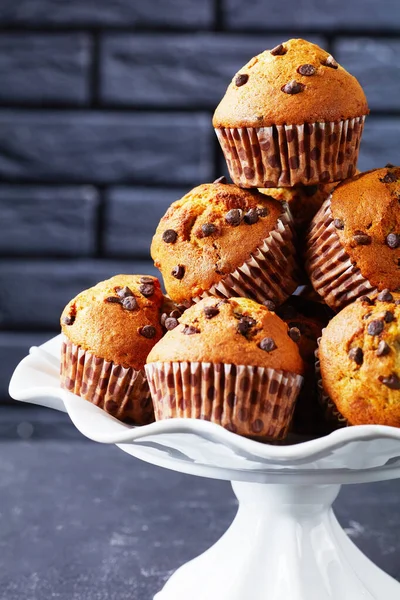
[366,213]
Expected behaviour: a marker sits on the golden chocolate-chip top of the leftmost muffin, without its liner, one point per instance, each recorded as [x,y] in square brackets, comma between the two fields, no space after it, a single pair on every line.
[117,319]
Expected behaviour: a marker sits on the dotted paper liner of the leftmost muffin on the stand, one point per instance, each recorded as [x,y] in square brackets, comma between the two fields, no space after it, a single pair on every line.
[122,392]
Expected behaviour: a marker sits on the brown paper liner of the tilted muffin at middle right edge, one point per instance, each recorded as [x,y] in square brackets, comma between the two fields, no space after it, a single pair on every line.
[329,267]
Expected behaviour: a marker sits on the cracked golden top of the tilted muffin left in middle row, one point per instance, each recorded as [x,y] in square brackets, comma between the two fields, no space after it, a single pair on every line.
[208,234]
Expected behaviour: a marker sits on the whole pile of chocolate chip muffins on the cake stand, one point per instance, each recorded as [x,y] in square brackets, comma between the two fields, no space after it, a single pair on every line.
[230,343]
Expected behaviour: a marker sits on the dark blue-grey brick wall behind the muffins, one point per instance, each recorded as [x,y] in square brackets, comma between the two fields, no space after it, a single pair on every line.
[105,119]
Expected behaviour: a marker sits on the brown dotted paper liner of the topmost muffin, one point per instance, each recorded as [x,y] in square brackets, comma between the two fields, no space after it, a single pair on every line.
[288,155]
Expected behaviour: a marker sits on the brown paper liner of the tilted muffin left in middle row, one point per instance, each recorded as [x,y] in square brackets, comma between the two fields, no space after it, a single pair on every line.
[271,272]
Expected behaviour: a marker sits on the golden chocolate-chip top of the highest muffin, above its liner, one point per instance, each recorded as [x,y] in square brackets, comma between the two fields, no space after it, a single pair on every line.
[296,82]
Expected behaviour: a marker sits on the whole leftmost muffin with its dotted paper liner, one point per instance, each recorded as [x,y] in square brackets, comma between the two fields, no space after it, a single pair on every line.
[108,331]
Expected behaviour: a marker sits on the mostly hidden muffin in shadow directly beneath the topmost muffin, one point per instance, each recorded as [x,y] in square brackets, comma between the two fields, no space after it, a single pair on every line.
[304,201]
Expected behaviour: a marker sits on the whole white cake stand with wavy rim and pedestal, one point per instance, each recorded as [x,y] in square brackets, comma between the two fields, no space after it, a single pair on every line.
[285,542]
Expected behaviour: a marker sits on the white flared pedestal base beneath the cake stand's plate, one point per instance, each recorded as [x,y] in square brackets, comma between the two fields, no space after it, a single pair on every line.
[284,544]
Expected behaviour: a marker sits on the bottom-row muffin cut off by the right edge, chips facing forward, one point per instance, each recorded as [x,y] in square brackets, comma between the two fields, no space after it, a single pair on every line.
[359,356]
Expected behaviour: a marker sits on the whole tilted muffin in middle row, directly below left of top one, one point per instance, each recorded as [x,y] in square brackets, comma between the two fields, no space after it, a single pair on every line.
[221,240]
